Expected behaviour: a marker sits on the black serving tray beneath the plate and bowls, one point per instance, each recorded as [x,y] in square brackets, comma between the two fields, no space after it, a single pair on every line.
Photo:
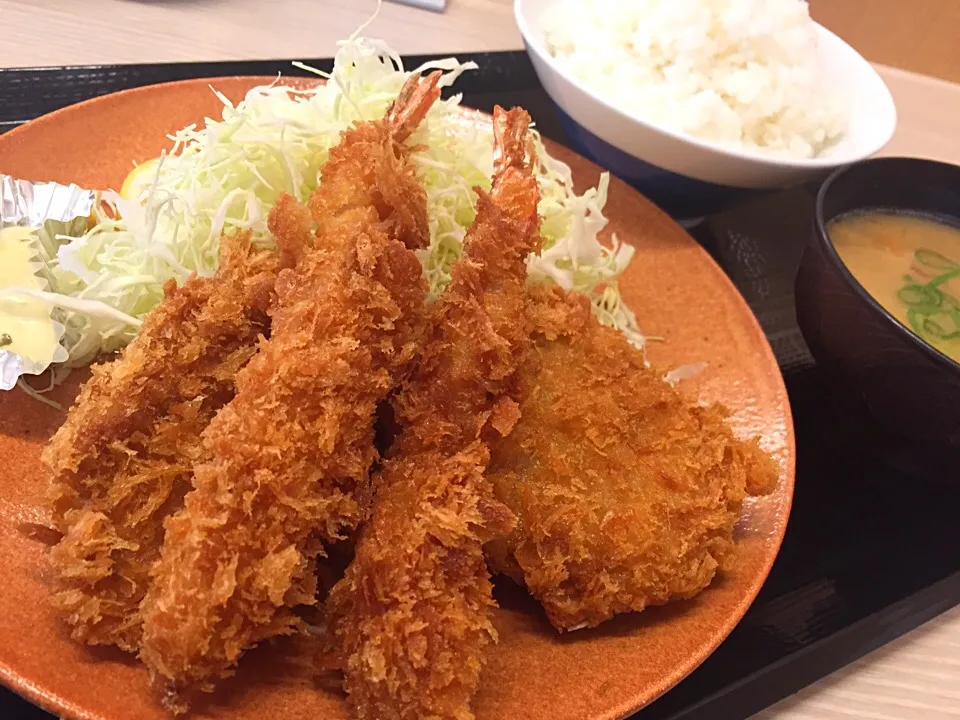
[871,548]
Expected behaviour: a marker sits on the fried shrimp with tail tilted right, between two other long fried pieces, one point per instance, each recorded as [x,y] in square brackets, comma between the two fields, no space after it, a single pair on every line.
[289,456]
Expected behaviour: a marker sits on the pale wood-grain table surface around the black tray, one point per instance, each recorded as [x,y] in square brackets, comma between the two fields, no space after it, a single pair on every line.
[915,677]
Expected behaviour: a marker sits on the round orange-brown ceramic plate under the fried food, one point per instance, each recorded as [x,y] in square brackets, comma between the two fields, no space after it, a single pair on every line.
[534,673]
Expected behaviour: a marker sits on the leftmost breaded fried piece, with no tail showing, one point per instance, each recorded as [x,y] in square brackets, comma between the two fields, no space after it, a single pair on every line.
[122,460]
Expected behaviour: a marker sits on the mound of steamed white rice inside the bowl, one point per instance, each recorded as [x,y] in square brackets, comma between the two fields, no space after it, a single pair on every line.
[740,73]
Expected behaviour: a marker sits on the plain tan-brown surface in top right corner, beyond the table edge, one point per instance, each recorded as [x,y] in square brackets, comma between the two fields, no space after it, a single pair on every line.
[918,35]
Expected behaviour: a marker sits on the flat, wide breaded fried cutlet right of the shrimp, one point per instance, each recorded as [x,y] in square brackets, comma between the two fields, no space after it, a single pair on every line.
[626,492]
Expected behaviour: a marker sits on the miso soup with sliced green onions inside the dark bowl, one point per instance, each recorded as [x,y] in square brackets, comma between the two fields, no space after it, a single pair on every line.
[911,266]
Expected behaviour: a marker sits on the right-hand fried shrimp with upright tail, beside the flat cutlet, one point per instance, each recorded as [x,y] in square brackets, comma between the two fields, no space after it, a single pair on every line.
[410,620]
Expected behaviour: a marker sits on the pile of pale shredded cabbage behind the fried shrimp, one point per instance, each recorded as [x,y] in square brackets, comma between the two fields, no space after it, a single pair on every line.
[225,176]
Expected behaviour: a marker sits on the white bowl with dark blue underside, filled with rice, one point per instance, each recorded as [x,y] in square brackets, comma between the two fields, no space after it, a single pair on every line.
[700,104]
